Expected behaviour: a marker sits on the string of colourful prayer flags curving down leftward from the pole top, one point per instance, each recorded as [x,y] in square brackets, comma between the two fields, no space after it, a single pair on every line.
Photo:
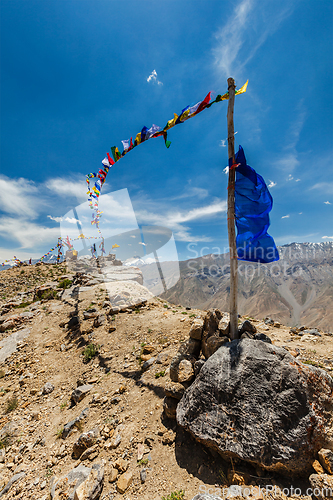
[188,112]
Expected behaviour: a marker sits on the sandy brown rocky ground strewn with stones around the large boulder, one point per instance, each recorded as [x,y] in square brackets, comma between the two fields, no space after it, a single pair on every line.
[71,364]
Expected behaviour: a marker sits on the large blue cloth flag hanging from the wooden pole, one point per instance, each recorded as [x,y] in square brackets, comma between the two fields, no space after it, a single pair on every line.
[253,202]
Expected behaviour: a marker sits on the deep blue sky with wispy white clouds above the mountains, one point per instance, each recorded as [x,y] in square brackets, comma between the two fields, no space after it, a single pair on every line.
[77,77]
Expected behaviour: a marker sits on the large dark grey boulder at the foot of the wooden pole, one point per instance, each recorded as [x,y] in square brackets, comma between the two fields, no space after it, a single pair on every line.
[254,401]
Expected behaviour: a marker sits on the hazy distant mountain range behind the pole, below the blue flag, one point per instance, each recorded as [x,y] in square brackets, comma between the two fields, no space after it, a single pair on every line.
[296,290]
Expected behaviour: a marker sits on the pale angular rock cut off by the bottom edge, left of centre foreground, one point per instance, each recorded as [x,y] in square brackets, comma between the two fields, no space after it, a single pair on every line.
[81,483]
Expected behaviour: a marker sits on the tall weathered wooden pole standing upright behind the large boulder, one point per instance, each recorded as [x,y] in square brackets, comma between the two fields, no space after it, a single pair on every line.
[231,214]
